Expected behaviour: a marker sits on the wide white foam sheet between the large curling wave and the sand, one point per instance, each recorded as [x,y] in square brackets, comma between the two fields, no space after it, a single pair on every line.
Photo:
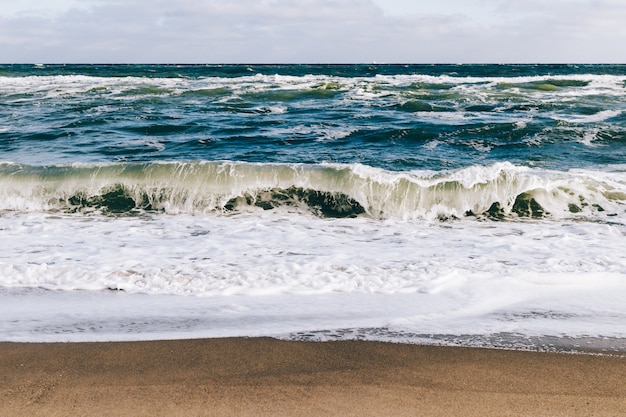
[274,273]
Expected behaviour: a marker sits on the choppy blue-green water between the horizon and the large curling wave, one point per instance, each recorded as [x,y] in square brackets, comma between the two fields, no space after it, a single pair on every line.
[389,116]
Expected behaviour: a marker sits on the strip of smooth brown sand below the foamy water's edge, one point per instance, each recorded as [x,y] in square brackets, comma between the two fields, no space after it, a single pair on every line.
[266,377]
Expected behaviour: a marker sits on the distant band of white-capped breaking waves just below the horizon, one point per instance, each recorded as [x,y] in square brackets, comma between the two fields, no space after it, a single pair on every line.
[291,87]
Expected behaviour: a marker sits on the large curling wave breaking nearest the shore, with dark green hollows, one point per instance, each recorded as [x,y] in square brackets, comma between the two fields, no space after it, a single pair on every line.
[499,191]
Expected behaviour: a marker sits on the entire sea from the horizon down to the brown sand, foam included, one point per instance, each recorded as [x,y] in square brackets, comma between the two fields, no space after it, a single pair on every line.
[468,205]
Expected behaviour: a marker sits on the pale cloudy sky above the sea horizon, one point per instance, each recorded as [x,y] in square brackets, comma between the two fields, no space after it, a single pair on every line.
[312,31]
